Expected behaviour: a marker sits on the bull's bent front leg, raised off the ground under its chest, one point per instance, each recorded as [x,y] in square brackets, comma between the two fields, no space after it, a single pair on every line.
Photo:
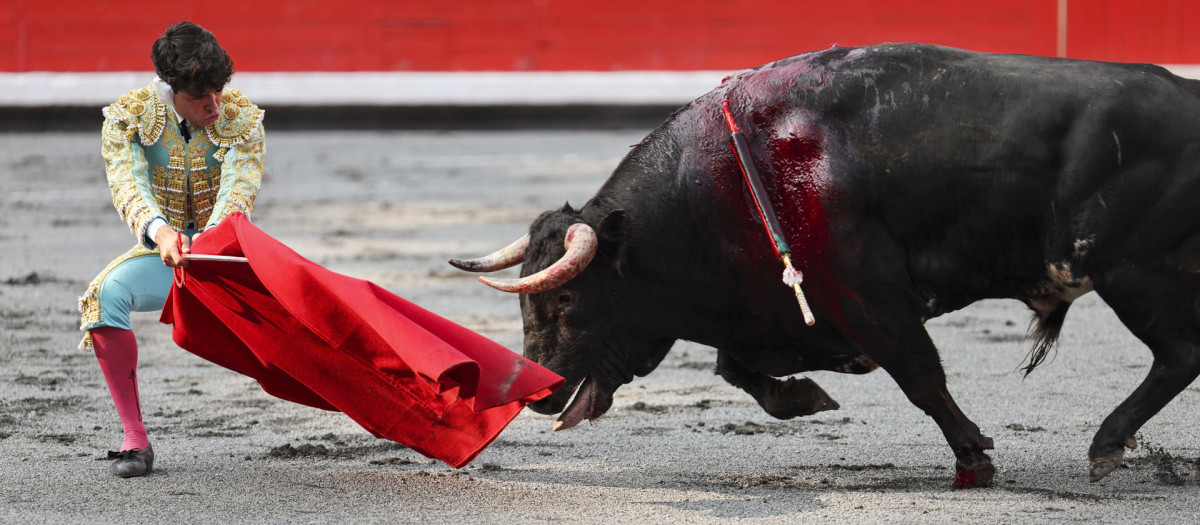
[781,400]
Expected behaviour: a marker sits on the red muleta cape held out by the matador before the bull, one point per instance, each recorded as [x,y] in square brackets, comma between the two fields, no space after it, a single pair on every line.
[325,340]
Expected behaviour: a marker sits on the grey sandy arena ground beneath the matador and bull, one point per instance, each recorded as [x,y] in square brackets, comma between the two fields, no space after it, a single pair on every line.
[679,446]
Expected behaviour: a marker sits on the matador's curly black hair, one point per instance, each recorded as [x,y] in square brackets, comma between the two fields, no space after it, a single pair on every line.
[189,58]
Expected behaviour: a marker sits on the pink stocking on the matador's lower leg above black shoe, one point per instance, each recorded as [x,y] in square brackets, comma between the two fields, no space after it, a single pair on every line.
[118,354]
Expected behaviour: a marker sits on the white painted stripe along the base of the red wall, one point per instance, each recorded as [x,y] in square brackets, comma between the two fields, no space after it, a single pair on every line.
[37,89]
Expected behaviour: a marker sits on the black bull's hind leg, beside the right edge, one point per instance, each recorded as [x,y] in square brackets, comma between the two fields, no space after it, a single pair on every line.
[1163,311]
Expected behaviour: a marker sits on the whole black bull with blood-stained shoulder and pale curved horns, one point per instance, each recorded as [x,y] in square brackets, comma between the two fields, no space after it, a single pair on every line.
[911,182]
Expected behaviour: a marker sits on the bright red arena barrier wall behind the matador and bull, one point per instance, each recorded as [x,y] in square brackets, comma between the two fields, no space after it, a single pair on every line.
[561,35]
